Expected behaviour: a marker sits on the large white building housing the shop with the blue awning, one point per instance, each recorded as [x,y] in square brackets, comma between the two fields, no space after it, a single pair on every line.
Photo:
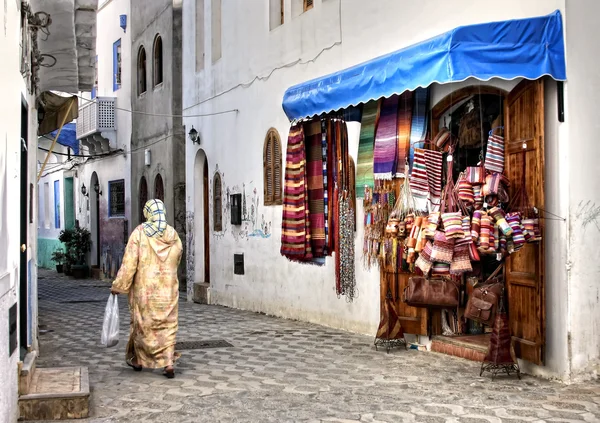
[239,59]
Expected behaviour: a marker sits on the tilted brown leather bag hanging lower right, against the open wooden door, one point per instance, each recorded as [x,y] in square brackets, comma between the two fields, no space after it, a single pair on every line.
[483,301]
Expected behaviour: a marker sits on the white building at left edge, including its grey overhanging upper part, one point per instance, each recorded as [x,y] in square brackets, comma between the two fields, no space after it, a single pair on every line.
[23,84]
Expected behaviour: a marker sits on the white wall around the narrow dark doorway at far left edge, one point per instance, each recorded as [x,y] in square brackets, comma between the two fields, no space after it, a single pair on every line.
[13,90]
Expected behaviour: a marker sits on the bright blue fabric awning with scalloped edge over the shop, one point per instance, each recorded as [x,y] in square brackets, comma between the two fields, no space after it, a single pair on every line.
[520,48]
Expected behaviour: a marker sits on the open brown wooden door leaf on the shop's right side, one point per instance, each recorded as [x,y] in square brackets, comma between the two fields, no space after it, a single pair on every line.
[524,130]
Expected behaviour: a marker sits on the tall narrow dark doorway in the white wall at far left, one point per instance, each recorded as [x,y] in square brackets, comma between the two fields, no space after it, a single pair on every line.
[24,321]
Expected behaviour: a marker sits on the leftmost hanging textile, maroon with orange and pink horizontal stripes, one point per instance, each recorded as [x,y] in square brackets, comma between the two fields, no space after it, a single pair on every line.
[295,226]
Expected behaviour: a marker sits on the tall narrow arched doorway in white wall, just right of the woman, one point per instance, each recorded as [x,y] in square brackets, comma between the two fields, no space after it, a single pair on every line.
[201,219]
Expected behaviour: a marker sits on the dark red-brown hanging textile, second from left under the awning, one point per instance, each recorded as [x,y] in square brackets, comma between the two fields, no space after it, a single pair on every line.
[314,185]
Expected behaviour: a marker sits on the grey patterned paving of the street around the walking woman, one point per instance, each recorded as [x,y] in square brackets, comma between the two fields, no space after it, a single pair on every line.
[284,371]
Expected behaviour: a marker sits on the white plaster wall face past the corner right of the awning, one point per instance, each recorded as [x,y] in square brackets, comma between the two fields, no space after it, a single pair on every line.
[584,196]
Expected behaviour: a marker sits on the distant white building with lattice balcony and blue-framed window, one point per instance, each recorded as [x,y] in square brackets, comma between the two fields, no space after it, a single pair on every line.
[104,129]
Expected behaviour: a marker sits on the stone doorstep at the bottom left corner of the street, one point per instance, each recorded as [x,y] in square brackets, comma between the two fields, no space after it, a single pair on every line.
[57,393]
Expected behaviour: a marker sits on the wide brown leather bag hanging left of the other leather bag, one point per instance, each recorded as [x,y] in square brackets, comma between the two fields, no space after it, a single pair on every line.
[434,292]
